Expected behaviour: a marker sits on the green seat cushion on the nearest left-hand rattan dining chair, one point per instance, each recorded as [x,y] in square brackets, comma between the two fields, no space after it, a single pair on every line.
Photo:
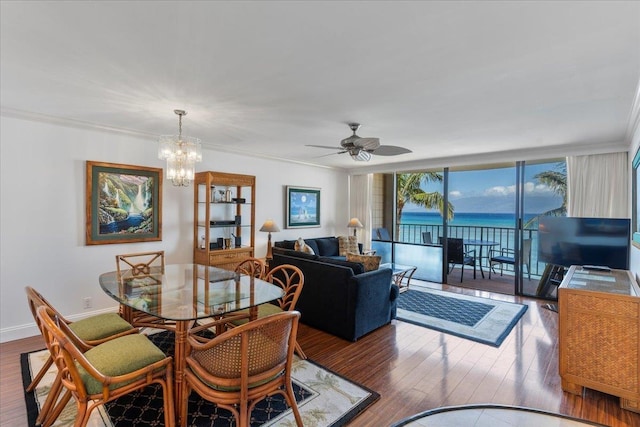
[118,357]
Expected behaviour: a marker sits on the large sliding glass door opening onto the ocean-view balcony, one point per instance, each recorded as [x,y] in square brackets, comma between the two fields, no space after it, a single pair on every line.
[493,209]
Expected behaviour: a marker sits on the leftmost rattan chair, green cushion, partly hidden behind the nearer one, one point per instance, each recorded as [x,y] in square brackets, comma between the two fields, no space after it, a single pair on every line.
[89,332]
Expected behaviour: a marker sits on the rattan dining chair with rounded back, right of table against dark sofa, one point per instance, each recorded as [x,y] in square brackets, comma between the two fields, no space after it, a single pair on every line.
[291,279]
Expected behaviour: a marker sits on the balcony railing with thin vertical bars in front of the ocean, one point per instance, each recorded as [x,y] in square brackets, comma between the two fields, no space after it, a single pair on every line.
[503,236]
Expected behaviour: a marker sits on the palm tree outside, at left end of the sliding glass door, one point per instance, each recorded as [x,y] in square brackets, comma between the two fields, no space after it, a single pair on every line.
[409,191]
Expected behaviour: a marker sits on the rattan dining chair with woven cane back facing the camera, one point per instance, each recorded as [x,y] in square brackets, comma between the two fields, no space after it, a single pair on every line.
[244,365]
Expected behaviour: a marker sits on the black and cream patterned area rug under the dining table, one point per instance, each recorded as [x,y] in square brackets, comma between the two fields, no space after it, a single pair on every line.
[324,399]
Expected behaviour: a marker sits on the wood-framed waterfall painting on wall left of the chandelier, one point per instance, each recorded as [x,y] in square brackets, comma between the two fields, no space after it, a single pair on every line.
[123,203]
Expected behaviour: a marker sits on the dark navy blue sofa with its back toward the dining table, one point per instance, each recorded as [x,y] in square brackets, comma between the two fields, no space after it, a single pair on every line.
[338,297]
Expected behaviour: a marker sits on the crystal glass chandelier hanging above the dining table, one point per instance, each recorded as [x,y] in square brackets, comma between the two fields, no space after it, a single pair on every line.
[181,154]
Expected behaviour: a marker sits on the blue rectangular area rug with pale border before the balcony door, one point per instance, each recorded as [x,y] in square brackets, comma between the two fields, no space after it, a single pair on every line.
[483,320]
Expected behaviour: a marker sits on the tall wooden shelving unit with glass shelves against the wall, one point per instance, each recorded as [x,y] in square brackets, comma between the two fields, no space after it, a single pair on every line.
[224,218]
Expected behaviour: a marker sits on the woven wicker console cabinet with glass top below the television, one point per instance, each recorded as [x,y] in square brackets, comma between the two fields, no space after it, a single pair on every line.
[600,334]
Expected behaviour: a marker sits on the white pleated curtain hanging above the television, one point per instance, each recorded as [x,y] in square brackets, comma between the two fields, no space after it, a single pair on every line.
[597,186]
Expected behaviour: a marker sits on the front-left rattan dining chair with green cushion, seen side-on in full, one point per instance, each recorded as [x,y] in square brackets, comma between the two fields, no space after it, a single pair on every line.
[105,372]
